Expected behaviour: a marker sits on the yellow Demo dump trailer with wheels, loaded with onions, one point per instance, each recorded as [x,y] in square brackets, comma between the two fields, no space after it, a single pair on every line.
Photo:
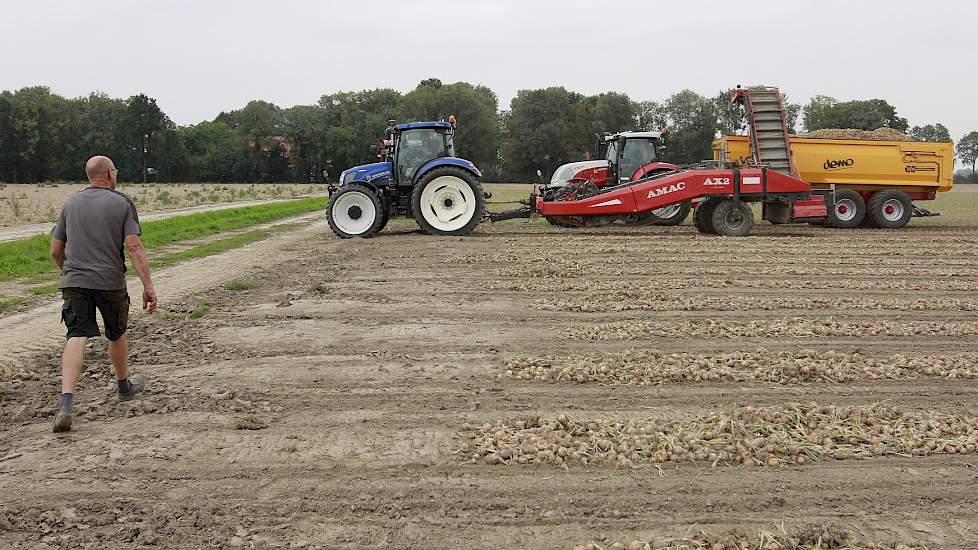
[871,182]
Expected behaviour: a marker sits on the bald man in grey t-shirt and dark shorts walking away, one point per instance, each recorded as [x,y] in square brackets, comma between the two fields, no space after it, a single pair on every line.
[97,224]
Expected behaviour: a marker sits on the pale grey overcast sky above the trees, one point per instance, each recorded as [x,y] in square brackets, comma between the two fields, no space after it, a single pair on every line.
[198,58]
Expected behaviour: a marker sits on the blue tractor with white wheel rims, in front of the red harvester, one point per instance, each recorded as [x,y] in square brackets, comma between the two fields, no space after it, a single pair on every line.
[419,176]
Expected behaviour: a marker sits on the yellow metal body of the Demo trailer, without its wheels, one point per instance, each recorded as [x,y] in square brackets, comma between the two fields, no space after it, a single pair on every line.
[859,164]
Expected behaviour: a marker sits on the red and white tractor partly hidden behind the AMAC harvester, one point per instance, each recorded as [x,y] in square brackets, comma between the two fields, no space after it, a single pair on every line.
[627,157]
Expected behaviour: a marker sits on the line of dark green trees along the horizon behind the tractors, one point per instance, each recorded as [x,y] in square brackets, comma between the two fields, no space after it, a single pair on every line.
[46,137]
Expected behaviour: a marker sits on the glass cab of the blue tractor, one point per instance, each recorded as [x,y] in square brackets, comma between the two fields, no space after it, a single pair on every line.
[410,146]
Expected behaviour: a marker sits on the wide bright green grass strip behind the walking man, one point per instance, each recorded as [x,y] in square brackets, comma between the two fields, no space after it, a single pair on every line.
[28,257]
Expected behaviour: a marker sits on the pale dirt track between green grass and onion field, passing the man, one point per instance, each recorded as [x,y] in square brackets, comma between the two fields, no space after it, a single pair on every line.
[36,330]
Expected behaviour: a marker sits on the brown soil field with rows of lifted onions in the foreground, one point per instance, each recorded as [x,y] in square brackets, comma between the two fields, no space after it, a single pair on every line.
[522,387]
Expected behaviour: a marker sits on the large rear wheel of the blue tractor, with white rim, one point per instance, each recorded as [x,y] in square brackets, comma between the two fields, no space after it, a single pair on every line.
[448,201]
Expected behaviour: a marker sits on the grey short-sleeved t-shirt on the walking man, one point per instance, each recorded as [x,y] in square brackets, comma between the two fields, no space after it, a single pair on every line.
[94,224]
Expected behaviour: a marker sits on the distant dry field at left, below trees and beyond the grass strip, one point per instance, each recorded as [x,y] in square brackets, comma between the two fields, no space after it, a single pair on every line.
[22,204]
